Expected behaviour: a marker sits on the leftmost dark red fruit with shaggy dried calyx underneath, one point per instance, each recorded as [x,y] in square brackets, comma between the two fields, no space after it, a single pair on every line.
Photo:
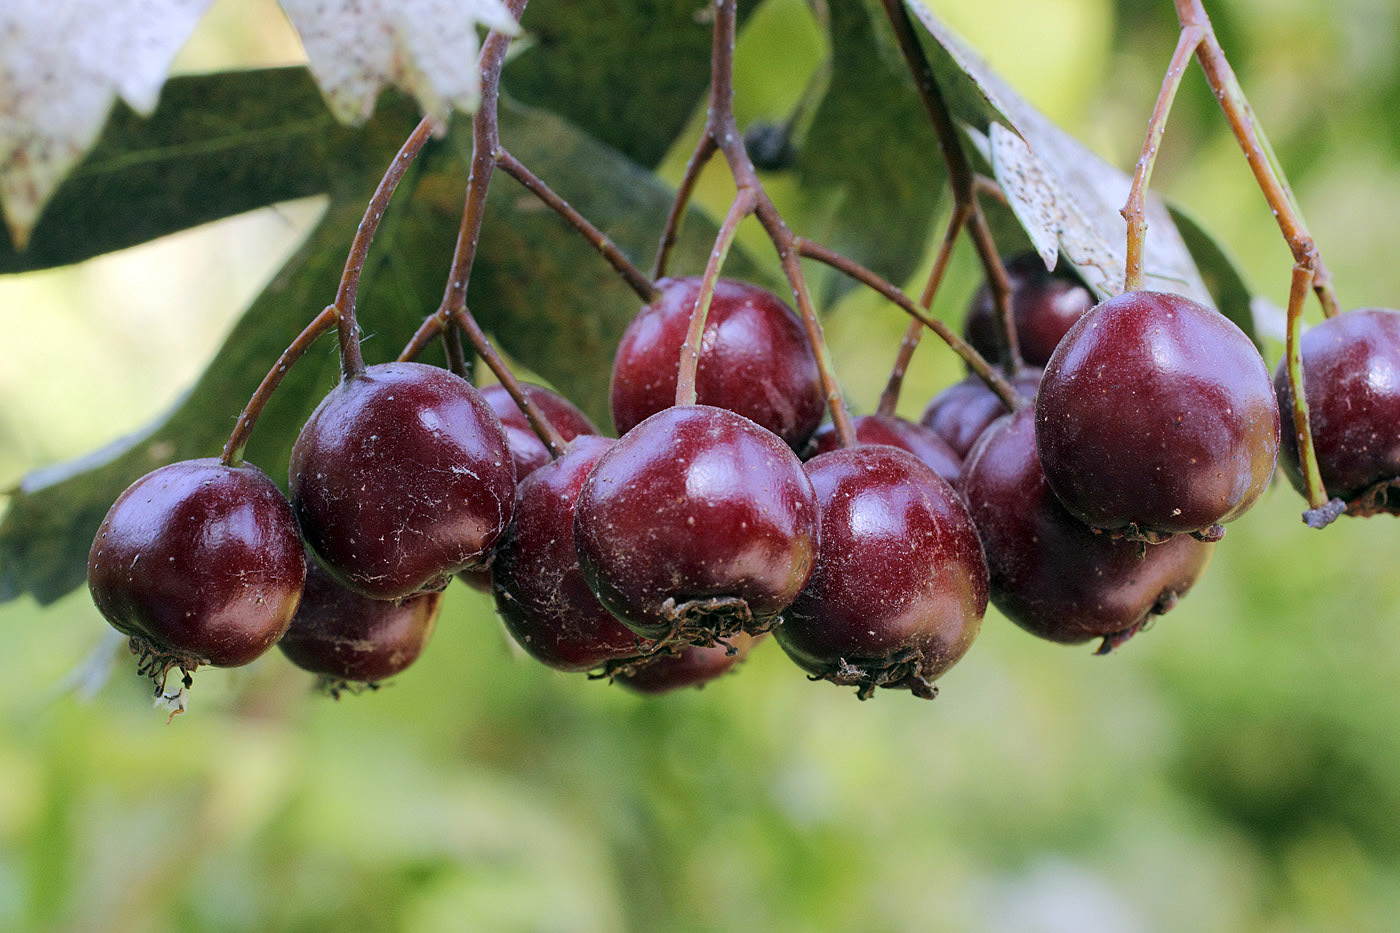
[199,564]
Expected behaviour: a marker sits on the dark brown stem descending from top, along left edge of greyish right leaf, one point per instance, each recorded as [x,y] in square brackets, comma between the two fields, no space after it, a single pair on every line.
[961,177]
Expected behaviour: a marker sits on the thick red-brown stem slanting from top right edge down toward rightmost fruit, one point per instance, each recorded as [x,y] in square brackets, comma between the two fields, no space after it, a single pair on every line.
[1258,152]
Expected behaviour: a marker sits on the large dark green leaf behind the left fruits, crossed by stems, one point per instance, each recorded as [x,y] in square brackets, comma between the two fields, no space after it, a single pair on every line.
[544,292]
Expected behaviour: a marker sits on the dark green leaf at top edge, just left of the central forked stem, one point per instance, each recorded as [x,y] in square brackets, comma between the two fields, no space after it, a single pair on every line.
[628,74]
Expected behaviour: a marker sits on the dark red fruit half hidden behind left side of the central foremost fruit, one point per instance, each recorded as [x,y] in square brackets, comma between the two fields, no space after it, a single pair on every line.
[540,590]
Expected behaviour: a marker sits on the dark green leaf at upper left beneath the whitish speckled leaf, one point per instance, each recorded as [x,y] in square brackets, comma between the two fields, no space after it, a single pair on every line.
[216,146]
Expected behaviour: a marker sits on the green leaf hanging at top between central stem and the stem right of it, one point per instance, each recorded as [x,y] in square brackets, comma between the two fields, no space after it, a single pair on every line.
[871,146]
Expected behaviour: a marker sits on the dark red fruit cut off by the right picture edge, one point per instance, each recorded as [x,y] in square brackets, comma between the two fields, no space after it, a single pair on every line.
[1352,372]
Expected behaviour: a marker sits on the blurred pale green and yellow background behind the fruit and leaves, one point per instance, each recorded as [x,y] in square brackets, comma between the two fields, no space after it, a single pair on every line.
[1233,770]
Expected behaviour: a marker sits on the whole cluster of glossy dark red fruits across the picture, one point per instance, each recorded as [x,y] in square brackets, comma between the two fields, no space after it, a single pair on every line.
[659,558]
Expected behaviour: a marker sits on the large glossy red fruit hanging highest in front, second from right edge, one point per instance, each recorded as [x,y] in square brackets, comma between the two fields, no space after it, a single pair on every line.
[1157,417]
